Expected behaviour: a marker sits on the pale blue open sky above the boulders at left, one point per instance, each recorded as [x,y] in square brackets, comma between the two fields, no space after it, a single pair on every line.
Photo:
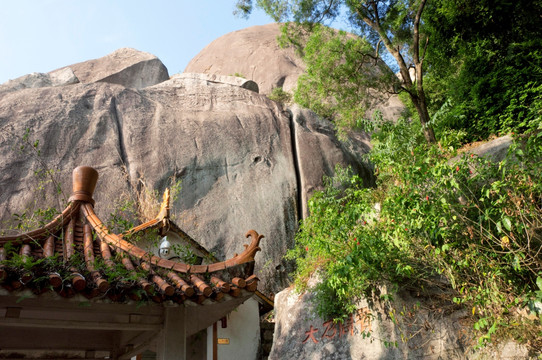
[43,35]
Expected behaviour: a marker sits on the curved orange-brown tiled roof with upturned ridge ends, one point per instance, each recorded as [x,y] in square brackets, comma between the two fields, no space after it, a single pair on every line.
[77,253]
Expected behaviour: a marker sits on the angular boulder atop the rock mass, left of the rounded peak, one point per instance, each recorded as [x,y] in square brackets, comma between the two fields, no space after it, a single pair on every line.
[127,67]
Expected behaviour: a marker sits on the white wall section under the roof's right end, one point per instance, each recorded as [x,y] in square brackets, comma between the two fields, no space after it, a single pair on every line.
[243,331]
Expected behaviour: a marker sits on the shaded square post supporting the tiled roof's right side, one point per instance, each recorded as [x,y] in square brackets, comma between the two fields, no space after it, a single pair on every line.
[172,339]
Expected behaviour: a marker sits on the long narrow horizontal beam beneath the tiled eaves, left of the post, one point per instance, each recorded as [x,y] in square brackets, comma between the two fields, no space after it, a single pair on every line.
[69,324]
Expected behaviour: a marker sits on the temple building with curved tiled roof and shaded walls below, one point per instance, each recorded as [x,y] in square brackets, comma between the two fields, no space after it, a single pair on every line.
[73,289]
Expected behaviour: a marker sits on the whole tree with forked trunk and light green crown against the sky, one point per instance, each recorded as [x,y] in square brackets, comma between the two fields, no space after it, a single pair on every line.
[339,79]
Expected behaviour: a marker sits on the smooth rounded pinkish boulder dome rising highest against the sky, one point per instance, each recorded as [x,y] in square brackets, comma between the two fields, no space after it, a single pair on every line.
[253,53]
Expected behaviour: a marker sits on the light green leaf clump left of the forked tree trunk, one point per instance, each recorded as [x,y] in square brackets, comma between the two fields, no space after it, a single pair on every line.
[340,77]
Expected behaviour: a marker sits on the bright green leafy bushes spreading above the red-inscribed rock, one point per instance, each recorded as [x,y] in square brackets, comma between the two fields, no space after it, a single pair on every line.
[472,222]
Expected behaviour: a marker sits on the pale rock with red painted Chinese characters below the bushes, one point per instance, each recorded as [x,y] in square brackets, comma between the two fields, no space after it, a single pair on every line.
[371,333]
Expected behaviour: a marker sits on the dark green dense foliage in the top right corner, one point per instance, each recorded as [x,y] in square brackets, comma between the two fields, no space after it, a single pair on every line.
[485,65]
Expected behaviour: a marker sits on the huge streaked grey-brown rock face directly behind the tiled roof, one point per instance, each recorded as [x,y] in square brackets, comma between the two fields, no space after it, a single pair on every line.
[233,149]
